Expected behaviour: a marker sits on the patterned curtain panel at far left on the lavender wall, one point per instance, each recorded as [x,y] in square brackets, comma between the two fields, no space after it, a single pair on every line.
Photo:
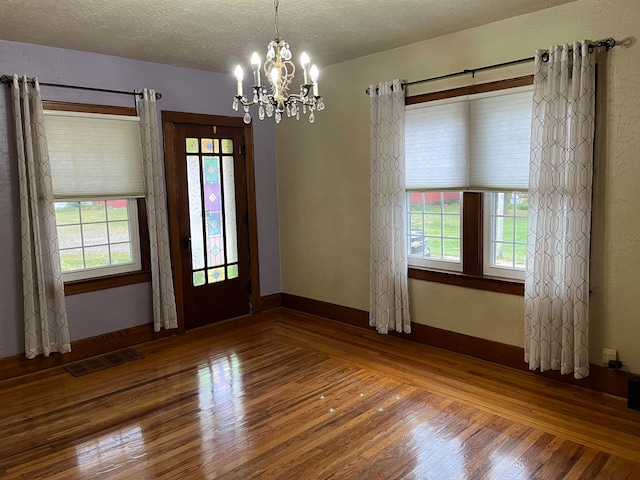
[46,328]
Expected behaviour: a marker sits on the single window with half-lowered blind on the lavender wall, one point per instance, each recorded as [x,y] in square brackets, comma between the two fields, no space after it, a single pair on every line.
[96,170]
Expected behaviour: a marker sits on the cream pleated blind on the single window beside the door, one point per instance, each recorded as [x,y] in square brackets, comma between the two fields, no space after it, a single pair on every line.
[94,155]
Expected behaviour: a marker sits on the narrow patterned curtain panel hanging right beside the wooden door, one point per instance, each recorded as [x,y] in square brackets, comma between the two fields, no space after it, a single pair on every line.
[164,302]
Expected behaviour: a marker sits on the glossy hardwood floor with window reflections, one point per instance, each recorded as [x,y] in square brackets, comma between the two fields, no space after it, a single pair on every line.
[292,396]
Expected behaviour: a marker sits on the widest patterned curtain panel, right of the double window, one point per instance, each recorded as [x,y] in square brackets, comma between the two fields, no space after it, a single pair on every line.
[560,184]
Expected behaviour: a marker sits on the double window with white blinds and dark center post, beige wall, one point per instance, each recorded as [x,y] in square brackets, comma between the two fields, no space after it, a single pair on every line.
[467,169]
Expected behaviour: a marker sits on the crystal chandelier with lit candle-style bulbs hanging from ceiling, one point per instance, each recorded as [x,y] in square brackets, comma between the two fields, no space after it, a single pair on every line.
[280,70]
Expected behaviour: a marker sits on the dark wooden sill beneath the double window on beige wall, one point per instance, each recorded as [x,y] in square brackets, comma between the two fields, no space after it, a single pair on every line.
[479,282]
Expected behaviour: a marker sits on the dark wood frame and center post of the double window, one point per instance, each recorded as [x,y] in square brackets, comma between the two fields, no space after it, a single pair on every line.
[473,217]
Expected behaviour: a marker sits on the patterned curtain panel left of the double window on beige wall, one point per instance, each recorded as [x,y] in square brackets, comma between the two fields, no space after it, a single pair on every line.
[389,297]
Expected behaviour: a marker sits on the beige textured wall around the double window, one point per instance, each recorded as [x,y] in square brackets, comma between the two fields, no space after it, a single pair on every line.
[323,175]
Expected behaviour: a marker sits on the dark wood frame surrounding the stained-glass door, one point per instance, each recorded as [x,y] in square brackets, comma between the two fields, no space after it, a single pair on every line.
[169,120]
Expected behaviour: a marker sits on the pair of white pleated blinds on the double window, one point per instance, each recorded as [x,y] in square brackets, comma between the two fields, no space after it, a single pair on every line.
[480,142]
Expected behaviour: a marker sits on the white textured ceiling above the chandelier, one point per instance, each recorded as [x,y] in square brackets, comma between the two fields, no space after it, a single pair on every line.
[217,34]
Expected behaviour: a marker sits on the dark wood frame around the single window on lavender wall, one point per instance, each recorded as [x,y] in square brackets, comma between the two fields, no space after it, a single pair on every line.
[141,275]
